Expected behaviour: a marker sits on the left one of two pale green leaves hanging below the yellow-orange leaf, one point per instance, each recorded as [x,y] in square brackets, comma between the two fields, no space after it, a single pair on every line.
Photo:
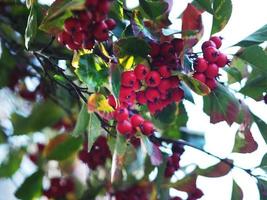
[82,122]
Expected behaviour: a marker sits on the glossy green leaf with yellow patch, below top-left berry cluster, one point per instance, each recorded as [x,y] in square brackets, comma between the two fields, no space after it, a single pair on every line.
[92,71]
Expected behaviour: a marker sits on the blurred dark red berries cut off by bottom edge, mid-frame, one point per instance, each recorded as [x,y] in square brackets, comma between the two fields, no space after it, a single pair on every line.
[133,193]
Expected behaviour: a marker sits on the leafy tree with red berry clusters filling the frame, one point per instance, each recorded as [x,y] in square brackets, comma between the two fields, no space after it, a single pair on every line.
[106,86]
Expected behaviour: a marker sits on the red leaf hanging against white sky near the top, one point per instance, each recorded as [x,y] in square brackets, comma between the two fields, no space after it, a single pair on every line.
[192,27]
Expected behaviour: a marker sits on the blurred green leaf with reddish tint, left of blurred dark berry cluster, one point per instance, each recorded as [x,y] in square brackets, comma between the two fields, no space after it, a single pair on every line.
[65,149]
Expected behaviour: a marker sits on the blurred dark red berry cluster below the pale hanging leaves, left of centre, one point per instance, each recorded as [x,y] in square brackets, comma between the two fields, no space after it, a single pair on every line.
[98,155]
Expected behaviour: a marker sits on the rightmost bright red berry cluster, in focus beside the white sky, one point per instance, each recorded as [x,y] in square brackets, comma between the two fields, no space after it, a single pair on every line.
[207,68]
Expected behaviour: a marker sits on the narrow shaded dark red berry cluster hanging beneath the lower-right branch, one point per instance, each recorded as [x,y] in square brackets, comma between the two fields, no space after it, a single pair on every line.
[173,161]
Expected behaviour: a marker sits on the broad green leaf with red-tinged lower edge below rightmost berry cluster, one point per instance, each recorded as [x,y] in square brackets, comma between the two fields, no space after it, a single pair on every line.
[221,105]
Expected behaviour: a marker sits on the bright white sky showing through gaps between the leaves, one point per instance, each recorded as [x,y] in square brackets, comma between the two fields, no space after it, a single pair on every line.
[247,17]
